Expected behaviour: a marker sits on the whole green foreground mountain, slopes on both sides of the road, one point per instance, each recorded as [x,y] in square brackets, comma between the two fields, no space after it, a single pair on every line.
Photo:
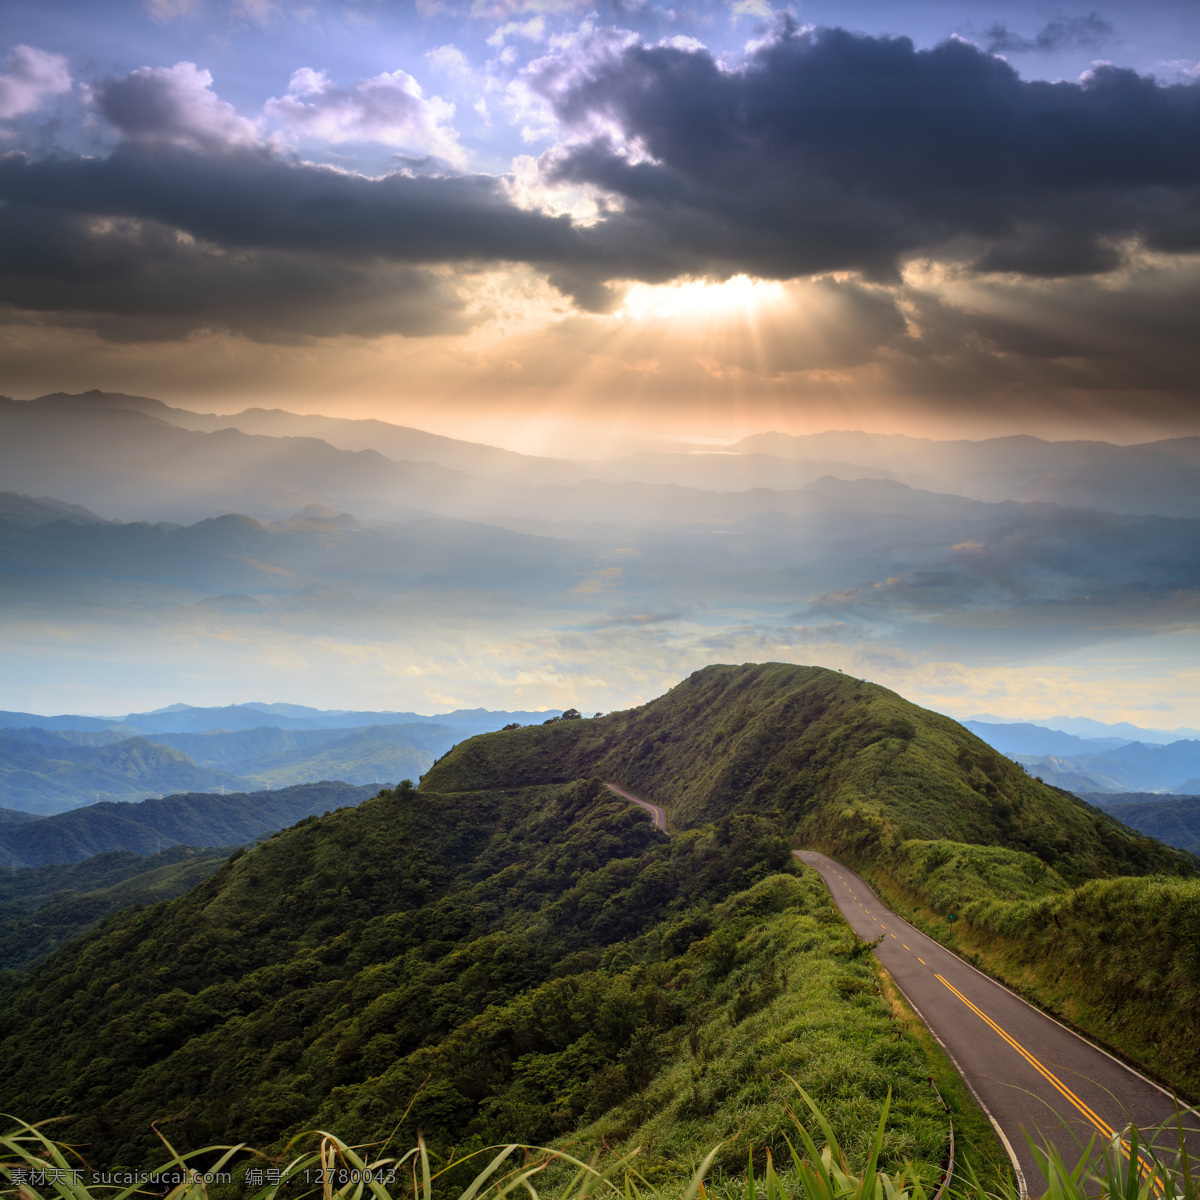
[512,951]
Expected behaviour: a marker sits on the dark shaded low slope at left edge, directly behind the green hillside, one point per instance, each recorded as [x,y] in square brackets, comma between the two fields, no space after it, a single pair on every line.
[43,908]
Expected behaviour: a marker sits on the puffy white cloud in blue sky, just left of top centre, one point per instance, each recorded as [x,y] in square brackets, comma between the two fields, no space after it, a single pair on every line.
[388,109]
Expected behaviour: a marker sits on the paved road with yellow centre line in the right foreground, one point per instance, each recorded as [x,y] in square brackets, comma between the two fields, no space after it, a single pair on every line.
[1028,1071]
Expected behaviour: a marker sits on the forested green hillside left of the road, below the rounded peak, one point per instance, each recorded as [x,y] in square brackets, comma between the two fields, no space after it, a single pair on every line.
[521,964]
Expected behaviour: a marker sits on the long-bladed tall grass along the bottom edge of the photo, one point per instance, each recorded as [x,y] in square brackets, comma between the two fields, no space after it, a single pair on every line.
[39,1168]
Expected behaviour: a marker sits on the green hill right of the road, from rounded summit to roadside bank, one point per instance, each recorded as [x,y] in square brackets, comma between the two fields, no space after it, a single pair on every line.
[939,821]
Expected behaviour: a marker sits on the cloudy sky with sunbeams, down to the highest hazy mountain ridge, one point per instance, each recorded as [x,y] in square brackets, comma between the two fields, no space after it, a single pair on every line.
[571,227]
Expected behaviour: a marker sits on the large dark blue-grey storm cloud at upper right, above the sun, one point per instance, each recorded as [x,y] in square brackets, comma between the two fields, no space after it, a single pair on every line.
[831,151]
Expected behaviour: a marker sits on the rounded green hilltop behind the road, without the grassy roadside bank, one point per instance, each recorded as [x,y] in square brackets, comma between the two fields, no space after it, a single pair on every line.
[841,763]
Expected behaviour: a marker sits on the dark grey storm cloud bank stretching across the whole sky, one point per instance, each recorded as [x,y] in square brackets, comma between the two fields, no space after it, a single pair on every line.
[825,152]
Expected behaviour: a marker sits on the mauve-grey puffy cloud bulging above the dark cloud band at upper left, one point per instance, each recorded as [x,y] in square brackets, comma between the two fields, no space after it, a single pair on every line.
[175,105]
